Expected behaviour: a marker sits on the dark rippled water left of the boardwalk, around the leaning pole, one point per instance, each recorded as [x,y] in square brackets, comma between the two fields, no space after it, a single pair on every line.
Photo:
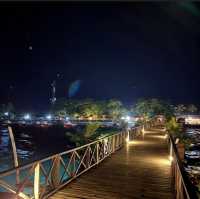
[32,143]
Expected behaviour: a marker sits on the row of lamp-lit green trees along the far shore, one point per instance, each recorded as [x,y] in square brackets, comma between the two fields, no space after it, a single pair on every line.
[108,109]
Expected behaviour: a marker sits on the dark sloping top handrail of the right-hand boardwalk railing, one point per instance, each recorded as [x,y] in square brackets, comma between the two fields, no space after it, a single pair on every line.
[190,192]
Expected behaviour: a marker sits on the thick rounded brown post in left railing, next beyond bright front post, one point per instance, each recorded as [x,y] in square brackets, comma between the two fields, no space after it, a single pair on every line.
[55,173]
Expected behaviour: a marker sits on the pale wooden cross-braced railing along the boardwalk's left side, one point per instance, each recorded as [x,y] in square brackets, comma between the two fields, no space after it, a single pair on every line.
[42,178]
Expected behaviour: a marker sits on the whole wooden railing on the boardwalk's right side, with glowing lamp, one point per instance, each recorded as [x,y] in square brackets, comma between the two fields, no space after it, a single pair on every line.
[182,185]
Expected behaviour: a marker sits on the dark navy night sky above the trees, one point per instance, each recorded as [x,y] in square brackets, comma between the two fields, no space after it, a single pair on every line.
[117,50]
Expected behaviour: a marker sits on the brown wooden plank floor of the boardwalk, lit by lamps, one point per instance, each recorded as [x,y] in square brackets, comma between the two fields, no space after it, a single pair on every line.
[139,170]
